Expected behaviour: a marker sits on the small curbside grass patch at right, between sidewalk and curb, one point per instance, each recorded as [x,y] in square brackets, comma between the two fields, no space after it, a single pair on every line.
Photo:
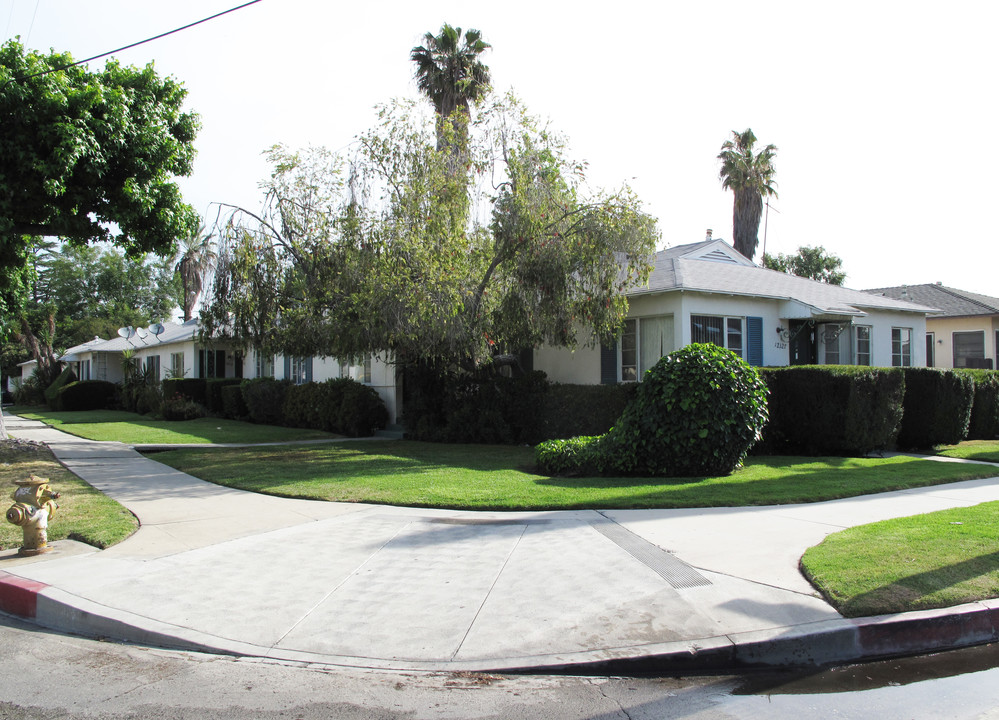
[914,563]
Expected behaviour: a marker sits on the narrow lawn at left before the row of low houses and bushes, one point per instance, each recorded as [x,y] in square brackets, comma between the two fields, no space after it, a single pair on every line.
[135,429]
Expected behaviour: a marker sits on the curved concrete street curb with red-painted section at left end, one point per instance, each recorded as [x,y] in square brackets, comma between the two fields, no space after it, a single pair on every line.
[829,642]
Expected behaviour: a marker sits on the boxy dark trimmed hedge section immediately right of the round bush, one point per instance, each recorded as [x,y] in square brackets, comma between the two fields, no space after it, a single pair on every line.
[832,410]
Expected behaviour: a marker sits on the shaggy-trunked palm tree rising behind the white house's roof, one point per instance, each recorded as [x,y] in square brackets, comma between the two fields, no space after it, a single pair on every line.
[750,177]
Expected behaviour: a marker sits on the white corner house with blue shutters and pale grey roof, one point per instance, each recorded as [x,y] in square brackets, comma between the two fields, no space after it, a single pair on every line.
[708,292]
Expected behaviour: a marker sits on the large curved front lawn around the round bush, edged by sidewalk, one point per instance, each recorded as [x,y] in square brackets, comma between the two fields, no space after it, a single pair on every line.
[482,477]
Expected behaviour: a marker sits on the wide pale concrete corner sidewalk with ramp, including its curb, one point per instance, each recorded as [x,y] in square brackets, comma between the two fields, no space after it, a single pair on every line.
[400,588]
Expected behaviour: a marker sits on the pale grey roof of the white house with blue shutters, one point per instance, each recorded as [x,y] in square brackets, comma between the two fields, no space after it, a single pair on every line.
[713,266]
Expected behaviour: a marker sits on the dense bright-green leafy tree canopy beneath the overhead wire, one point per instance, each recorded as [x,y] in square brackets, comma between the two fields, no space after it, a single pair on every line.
[90,156]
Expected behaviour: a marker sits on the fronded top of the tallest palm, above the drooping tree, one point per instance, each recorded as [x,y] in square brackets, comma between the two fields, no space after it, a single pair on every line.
[450,73]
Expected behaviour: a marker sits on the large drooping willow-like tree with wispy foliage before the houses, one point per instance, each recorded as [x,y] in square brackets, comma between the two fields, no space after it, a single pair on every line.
[373,254]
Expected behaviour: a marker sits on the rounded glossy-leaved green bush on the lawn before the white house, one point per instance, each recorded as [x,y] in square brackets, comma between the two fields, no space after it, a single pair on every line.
[696,412]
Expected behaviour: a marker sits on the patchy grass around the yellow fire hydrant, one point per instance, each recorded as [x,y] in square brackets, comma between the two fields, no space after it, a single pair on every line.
[84,514]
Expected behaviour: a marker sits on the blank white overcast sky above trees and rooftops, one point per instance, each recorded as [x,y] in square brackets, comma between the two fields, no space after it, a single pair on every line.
[880,110]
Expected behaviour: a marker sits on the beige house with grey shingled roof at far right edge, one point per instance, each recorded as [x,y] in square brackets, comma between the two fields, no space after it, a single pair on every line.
[965,333]
